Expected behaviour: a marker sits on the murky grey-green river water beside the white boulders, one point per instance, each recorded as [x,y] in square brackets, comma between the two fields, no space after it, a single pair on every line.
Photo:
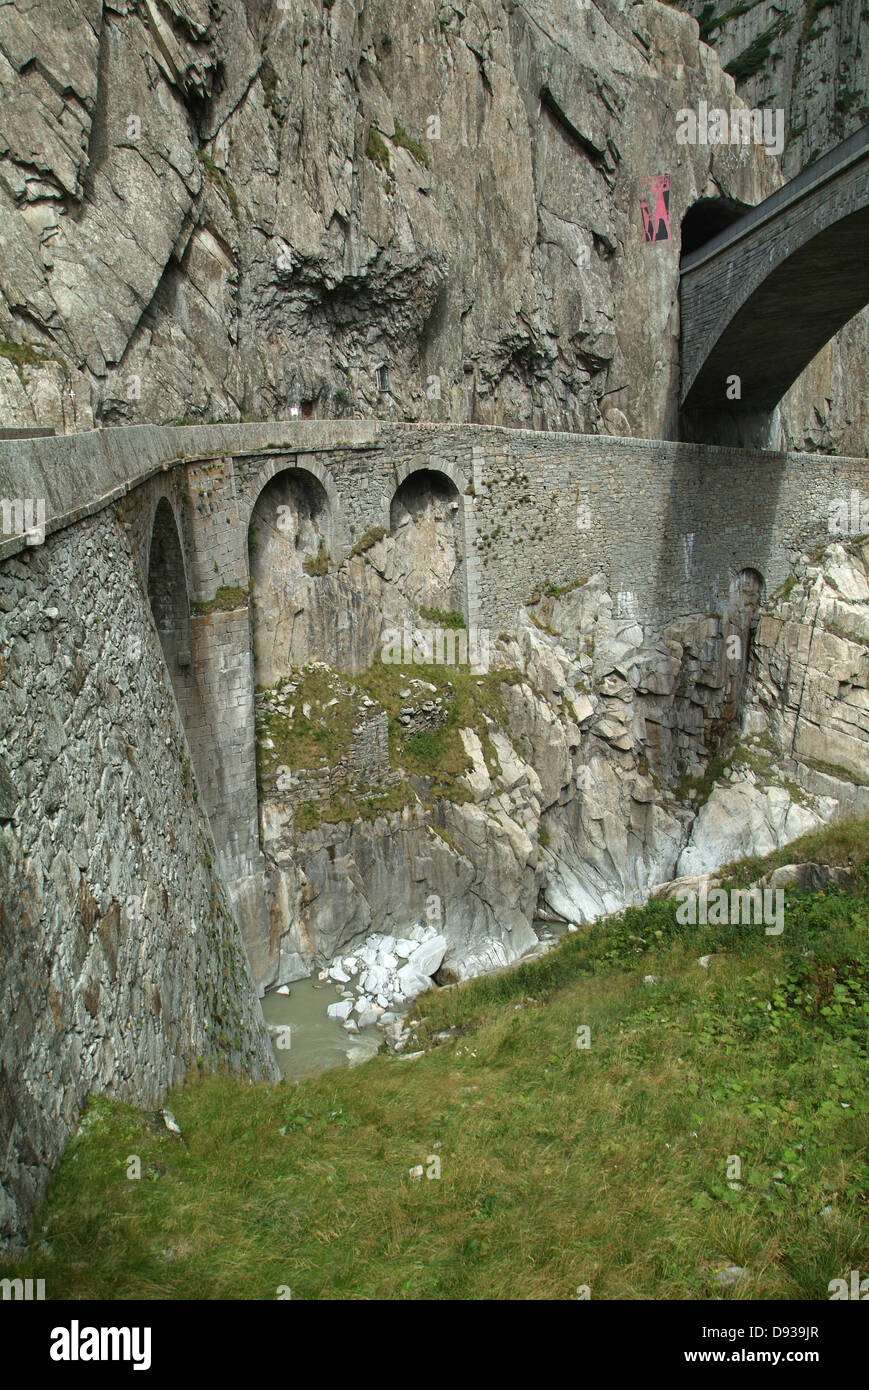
[316,1042]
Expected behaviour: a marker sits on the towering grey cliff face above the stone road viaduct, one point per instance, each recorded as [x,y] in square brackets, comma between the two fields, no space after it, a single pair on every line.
[382,209]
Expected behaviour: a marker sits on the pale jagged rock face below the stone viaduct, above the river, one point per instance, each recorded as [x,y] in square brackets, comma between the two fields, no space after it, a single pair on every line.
[589,778]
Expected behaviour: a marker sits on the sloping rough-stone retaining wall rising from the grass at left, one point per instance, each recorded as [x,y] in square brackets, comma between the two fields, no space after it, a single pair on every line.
[122,961]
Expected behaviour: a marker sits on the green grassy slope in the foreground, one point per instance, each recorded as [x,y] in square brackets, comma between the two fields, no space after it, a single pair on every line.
[604,1167]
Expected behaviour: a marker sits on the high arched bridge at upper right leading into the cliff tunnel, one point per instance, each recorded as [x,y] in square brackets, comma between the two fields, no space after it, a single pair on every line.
[764,297]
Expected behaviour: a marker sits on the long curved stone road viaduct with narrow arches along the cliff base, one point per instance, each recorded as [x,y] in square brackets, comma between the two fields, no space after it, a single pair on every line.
[669,526]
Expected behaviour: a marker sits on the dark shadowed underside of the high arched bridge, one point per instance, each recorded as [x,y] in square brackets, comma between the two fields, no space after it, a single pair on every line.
[778,332]
